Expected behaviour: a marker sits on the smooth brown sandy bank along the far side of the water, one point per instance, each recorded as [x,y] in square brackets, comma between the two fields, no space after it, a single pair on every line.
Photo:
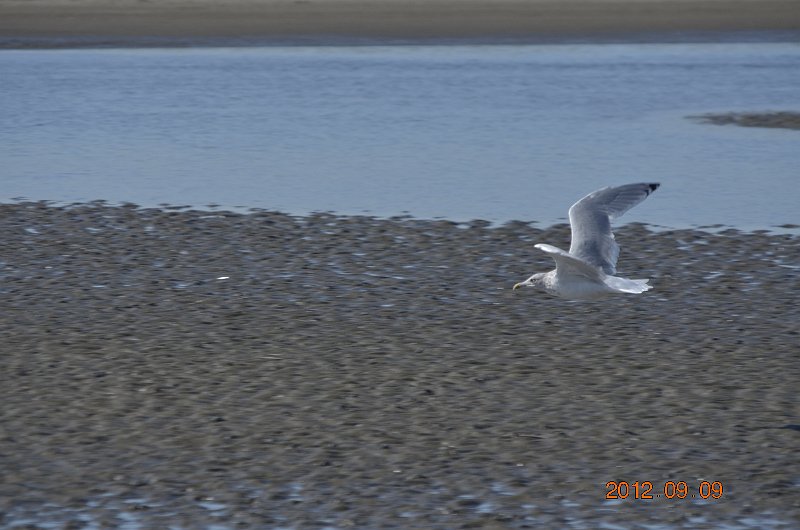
[34,23]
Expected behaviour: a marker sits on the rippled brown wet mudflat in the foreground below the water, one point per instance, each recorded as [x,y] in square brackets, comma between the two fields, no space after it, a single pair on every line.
[188,369]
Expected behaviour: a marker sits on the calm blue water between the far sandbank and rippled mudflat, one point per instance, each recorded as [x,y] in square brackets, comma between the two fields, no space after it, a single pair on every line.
[460,132]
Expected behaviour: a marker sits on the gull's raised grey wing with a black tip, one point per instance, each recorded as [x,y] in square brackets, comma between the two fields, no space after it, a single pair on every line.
[590,219]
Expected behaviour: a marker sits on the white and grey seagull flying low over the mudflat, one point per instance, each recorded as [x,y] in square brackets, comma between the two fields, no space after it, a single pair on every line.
[587,271]
